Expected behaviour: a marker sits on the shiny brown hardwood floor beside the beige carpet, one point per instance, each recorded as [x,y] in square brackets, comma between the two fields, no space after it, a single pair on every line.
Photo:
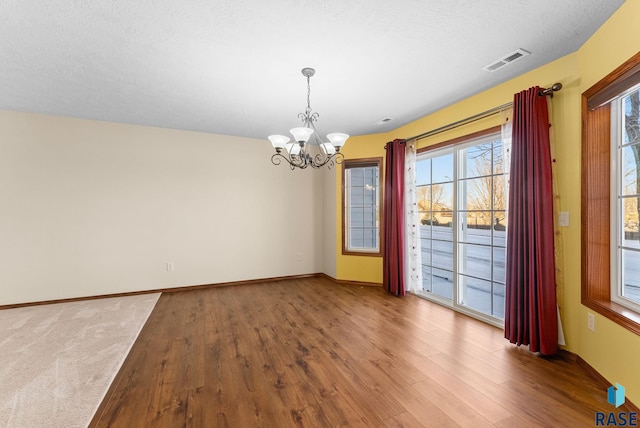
[314,353]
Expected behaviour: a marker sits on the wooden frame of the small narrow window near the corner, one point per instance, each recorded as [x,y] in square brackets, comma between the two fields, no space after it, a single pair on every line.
[361,163]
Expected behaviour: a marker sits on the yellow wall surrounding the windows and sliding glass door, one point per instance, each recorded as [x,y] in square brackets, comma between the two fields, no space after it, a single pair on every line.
[611,350]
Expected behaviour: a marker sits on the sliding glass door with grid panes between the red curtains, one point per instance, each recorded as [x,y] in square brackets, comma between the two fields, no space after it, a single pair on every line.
[461,196]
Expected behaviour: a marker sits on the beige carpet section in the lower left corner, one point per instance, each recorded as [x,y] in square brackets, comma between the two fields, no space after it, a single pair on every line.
[57,361]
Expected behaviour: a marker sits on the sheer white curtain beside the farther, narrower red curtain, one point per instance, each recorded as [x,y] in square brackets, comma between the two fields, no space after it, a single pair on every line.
[413,262]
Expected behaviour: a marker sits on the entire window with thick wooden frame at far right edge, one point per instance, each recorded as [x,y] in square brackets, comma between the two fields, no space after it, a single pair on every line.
[608,246]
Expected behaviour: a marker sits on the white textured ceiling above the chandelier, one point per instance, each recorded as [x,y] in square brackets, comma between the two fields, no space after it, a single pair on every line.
[233,67]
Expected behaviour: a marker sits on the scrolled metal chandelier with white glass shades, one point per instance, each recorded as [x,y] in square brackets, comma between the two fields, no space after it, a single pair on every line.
[298,153]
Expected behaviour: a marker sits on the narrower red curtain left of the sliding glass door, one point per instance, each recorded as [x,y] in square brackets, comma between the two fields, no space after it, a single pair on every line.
[393,216]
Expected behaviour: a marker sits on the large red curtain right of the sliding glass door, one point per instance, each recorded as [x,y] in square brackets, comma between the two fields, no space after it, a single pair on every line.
[530,300]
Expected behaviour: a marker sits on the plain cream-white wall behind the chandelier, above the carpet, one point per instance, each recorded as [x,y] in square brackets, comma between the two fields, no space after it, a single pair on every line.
[91,208]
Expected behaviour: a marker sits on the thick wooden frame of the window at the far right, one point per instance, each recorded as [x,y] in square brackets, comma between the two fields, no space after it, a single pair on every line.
[596,194]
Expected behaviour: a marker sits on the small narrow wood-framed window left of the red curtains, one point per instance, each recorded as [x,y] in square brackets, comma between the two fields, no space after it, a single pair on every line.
[361,207]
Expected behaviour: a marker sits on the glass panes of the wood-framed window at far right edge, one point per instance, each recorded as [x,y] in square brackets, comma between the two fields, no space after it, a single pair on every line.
[625,191]
